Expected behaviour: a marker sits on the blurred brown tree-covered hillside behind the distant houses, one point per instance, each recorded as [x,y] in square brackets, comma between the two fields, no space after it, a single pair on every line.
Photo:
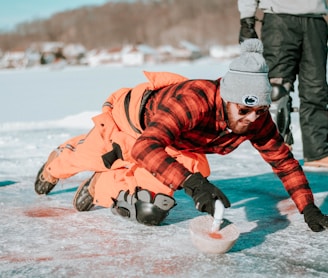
[152,22]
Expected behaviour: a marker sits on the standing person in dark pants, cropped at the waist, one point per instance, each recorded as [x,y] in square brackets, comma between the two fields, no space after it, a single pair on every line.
[294,35]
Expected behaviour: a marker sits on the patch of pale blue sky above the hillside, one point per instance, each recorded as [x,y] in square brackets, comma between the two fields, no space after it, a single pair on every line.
[13,12]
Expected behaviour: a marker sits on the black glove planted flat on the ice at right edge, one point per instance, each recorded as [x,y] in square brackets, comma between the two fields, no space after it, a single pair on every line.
[314,218]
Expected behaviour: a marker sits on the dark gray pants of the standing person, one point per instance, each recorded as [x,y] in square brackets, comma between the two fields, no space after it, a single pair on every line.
[297,45]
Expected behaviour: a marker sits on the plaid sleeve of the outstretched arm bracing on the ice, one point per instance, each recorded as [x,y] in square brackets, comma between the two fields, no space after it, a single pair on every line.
[274,151]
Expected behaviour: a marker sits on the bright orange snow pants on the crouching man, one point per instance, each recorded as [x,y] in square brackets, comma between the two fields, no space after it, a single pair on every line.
[84,153]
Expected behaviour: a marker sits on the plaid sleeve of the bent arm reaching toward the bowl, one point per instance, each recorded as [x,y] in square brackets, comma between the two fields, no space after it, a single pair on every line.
[179,112]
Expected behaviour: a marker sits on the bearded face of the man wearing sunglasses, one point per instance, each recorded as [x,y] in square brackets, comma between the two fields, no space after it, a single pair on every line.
[240,116]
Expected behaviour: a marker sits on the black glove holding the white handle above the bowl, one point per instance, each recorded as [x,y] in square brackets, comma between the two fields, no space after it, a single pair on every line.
[204,193]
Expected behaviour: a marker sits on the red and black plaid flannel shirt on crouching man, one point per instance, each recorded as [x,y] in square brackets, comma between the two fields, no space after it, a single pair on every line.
[190,116]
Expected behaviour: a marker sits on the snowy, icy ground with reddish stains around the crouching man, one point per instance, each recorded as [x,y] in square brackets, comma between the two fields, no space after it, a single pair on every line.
[43,236]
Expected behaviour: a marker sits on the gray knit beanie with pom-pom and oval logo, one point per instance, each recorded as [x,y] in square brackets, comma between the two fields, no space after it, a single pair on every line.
[247,81]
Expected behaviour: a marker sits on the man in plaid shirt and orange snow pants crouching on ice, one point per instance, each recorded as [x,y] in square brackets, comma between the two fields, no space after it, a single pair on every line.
[152,139]
